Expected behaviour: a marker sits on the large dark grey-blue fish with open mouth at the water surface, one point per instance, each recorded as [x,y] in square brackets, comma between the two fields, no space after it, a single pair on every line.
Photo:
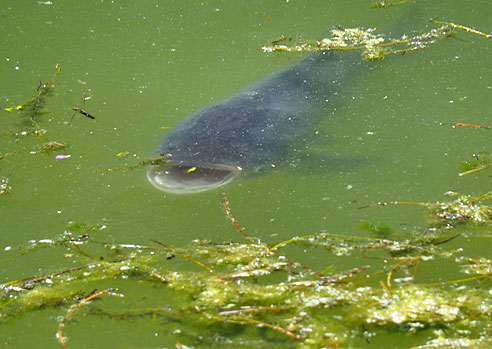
[256,128]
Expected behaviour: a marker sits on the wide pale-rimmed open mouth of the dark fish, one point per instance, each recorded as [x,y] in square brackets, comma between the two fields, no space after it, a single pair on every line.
[186,179]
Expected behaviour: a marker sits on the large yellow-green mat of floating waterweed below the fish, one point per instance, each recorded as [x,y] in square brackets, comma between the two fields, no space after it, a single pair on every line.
[255,294]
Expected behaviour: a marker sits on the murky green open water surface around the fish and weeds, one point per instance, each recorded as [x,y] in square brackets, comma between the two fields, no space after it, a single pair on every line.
[149,64]
